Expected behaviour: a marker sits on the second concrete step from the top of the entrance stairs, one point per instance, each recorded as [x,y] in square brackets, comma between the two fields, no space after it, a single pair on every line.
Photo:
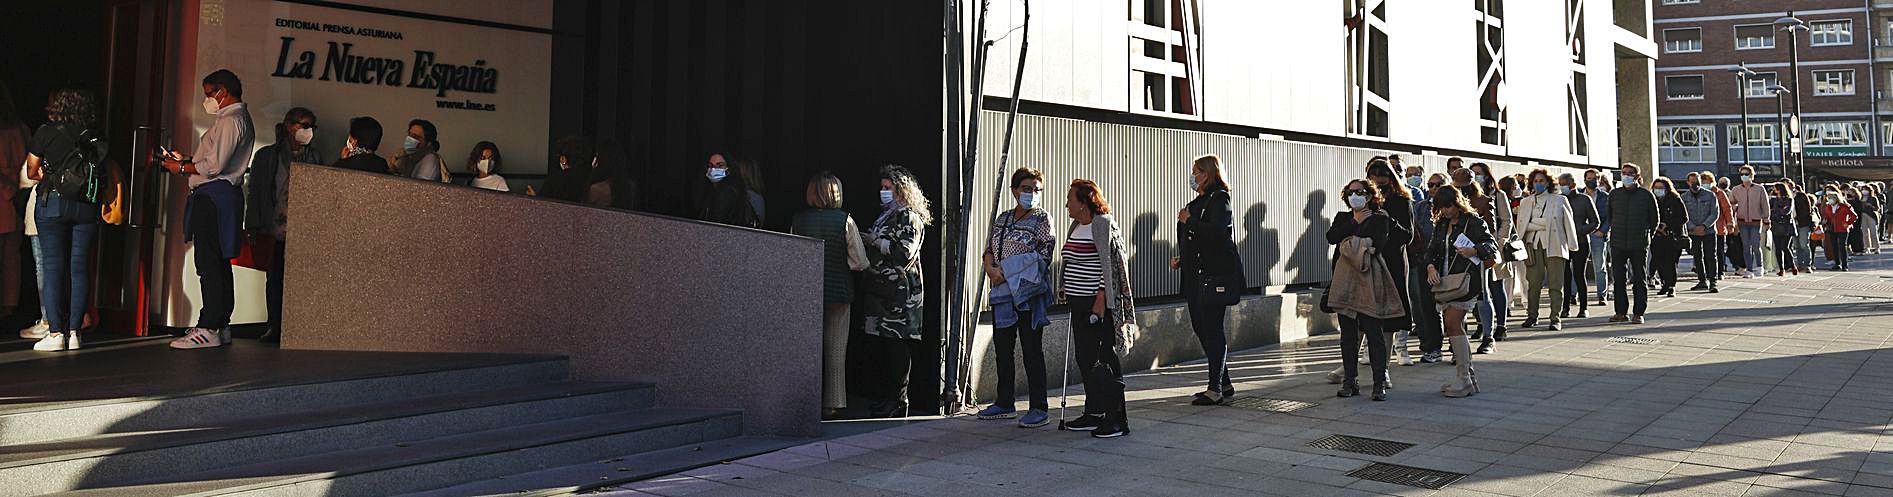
[116,458]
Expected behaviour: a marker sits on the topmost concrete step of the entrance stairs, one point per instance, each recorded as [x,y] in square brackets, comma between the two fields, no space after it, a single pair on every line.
[43,422]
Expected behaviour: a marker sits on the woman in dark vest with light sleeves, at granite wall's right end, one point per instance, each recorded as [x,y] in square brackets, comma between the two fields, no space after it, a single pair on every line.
[843,258]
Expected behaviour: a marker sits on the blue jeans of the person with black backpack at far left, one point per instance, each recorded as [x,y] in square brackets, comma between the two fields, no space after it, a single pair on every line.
[65,252]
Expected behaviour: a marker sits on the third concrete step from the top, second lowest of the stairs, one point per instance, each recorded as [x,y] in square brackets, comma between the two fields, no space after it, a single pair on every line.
[433,464]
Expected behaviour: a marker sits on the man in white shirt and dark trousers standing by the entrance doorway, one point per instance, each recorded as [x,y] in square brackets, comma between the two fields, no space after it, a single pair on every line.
[215,209]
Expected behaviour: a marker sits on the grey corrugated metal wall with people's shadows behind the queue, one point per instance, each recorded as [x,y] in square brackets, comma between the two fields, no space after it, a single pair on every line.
[1284,192]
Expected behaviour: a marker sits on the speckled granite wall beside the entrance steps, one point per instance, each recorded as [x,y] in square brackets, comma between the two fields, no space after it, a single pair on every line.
[713,317]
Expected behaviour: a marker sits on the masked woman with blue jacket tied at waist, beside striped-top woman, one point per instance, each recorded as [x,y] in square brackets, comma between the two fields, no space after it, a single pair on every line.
[1017,260]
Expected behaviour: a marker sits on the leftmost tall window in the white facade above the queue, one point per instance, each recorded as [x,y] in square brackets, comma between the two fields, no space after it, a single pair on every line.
[1163,58]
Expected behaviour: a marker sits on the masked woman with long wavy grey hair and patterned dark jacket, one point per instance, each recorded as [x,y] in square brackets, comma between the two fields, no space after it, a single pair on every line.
[894,290]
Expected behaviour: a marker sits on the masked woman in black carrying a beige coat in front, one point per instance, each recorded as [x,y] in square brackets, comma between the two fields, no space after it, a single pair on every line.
[1362,290]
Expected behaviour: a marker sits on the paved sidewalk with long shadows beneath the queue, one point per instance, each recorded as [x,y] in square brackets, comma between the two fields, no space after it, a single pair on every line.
[1777,386]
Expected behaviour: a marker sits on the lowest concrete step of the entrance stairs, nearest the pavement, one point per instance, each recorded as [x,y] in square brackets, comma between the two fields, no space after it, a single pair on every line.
[616,471]
